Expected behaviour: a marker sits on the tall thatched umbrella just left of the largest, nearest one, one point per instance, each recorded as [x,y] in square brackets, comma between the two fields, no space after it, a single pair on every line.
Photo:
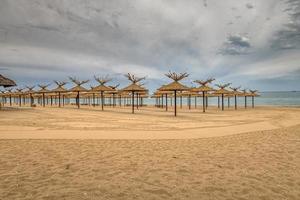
[133,87]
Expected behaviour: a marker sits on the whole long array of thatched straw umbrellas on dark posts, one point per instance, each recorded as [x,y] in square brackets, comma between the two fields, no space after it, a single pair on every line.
[135,89]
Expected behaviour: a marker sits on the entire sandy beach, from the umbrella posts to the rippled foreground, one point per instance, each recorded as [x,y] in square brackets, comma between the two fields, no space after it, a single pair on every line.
[254,154]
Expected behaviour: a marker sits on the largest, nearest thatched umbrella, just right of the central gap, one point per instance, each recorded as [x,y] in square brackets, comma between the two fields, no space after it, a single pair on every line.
[175,86]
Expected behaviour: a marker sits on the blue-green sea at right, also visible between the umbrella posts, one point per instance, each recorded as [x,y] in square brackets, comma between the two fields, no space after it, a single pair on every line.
[266,98]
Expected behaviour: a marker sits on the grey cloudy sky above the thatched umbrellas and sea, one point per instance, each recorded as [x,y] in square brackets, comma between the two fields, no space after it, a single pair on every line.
[252,43]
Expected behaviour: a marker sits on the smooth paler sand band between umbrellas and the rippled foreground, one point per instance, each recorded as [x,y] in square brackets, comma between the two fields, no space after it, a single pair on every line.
[147,123]
